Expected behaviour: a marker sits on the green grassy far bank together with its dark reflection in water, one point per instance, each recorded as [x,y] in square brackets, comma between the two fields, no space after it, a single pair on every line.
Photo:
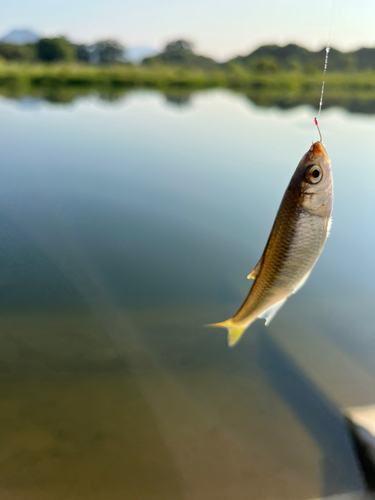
[63,83]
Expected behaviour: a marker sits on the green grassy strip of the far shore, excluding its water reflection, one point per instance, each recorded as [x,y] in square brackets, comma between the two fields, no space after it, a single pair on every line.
[165,77]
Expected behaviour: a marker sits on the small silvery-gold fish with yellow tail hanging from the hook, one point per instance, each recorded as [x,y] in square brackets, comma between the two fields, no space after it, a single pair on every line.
[297,239]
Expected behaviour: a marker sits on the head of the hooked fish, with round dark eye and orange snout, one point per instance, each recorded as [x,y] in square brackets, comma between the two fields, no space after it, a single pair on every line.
[313,181]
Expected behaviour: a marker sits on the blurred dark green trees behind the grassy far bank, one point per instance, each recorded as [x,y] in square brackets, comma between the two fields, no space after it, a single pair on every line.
[180,53]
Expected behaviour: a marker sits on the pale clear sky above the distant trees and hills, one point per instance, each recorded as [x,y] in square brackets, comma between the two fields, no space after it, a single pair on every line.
[218,28]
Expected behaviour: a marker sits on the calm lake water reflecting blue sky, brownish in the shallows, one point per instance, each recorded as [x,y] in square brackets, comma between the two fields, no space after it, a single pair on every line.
[125,226]
